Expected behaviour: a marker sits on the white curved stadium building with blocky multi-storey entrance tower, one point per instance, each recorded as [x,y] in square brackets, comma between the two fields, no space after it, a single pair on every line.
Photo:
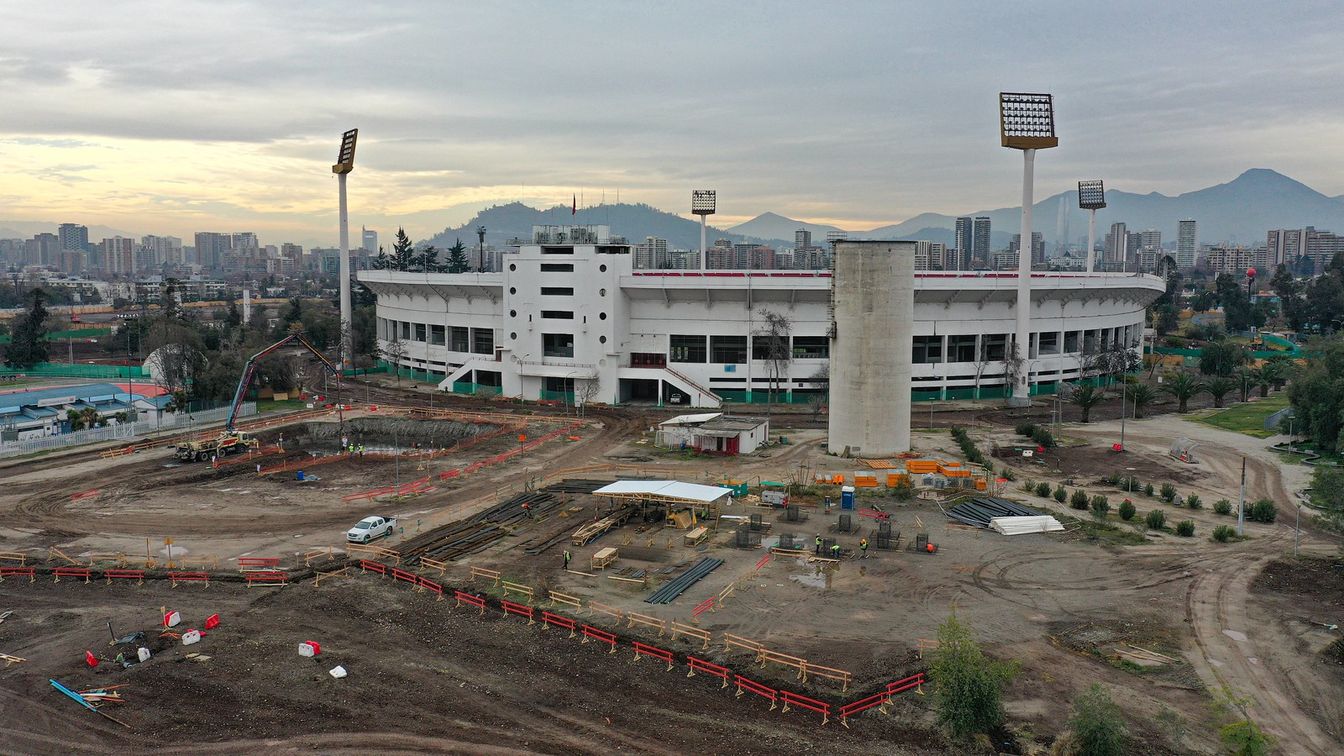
[576,322]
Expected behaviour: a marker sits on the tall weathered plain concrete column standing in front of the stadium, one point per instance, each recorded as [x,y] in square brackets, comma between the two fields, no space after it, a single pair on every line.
[873,294]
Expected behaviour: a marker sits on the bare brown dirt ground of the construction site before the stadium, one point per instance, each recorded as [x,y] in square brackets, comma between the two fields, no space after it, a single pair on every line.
[1062,605]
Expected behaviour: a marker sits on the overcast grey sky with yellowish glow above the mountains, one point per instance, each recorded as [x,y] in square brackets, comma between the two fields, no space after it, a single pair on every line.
[175,118]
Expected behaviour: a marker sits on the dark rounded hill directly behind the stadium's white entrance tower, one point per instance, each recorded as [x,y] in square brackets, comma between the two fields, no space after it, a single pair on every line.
[505,223]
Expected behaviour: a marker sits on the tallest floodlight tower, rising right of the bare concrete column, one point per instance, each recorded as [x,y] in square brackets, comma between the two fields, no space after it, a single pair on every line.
[1026,123]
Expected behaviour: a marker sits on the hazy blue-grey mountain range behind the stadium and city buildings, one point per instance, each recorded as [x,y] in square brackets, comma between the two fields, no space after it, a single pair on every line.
[1236,212]
